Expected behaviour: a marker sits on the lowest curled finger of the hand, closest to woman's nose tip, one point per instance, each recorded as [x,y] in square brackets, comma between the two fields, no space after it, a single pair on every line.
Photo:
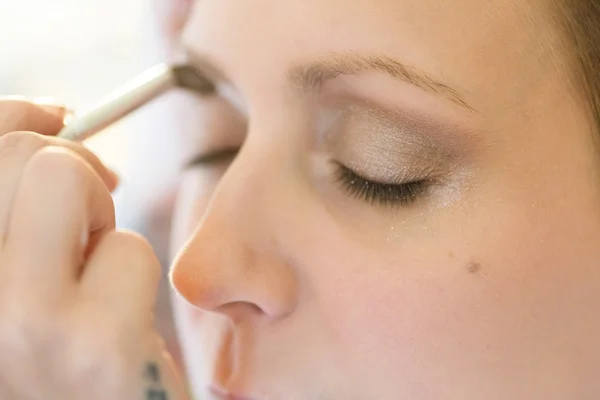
[123,274]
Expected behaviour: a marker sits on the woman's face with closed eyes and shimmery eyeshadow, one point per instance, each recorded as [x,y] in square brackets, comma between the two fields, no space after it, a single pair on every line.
[392,199]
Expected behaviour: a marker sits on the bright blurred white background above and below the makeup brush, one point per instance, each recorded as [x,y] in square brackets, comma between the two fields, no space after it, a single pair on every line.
[75,51]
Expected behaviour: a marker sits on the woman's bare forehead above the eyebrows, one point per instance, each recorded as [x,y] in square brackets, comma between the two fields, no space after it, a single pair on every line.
[476,45]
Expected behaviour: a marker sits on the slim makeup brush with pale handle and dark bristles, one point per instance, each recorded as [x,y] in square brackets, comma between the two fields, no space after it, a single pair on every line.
[145,87]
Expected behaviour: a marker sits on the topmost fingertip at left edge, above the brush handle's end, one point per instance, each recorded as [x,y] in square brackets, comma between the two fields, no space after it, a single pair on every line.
[22,115]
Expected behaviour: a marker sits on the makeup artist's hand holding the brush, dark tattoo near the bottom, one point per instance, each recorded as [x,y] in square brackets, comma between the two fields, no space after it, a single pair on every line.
[76,296]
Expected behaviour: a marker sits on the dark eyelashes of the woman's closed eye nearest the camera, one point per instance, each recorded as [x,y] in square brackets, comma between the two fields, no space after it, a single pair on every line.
[402,194]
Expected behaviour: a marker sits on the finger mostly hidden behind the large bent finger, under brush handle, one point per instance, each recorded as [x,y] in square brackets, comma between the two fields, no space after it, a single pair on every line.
[17,148]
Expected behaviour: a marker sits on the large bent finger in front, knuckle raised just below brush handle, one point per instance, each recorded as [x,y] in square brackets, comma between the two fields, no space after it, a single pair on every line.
[59,201]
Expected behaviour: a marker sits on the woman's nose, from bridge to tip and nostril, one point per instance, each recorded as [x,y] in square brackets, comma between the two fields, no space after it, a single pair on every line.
[236,262]
